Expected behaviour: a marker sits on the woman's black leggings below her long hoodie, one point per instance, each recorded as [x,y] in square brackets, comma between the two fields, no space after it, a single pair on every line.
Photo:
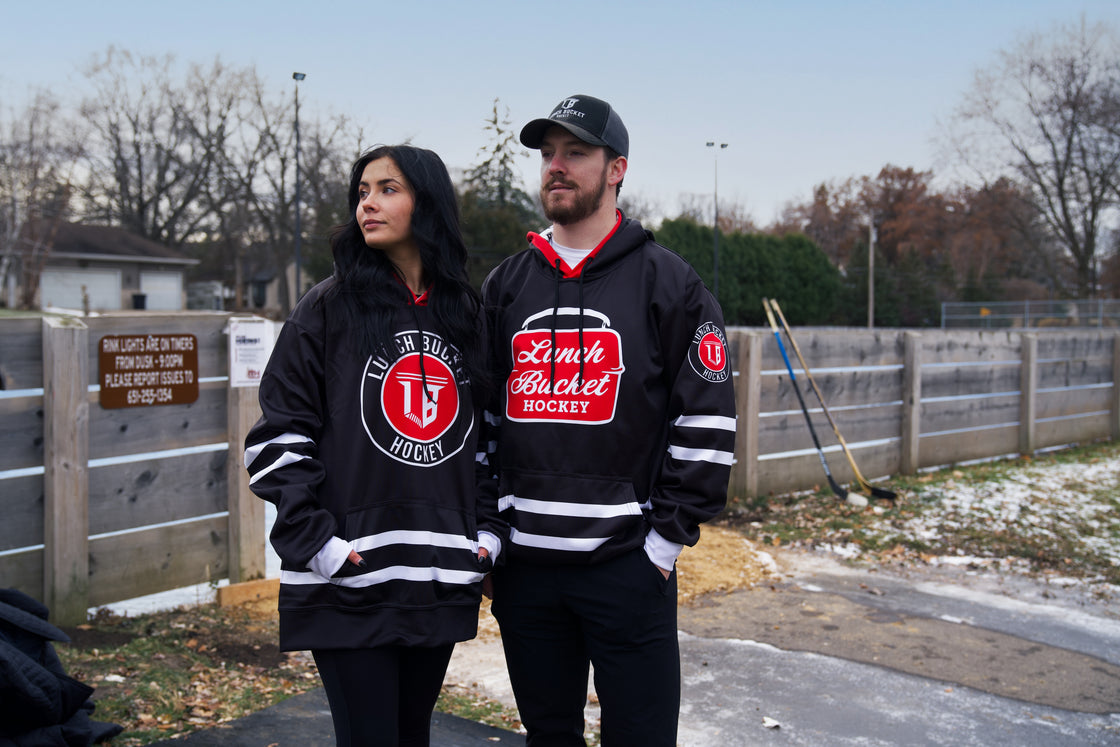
[382,697]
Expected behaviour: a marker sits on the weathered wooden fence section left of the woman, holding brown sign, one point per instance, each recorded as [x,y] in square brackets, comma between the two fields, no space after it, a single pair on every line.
[108,505]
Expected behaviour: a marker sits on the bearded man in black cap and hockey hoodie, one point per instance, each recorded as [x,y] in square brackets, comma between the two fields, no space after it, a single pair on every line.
[618,428]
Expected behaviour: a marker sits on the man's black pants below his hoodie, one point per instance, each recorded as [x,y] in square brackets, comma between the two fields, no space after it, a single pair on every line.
[621,617]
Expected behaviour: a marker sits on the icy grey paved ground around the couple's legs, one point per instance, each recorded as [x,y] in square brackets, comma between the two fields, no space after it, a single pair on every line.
[836,657]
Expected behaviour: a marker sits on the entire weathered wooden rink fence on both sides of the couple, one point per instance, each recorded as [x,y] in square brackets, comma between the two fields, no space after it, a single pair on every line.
[108,505]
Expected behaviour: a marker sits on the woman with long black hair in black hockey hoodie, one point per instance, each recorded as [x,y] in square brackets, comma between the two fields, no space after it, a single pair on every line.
[386,525]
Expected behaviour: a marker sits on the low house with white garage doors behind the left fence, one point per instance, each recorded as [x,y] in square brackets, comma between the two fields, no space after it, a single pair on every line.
[106,269]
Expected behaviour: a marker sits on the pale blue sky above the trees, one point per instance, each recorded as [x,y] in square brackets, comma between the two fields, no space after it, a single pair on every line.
[804,92]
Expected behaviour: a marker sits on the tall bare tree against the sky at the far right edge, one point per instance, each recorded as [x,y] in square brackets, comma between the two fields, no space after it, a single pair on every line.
[1048,113]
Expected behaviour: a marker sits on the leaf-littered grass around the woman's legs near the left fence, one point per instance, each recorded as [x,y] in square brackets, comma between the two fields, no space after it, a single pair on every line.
[174,673]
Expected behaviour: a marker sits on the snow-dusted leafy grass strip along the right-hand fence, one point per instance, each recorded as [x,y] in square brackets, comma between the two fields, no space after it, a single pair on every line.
[1028,512]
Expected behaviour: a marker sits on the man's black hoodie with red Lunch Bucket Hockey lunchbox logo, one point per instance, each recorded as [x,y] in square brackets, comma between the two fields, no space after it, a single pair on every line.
[618,416]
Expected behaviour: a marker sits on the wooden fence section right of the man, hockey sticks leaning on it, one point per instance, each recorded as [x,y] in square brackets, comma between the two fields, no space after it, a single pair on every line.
[908,400]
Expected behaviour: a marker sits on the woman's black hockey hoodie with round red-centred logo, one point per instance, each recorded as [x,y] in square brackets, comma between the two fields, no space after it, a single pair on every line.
[382,453]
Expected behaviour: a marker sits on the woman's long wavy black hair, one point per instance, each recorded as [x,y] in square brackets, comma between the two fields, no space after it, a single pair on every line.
[369,291]
